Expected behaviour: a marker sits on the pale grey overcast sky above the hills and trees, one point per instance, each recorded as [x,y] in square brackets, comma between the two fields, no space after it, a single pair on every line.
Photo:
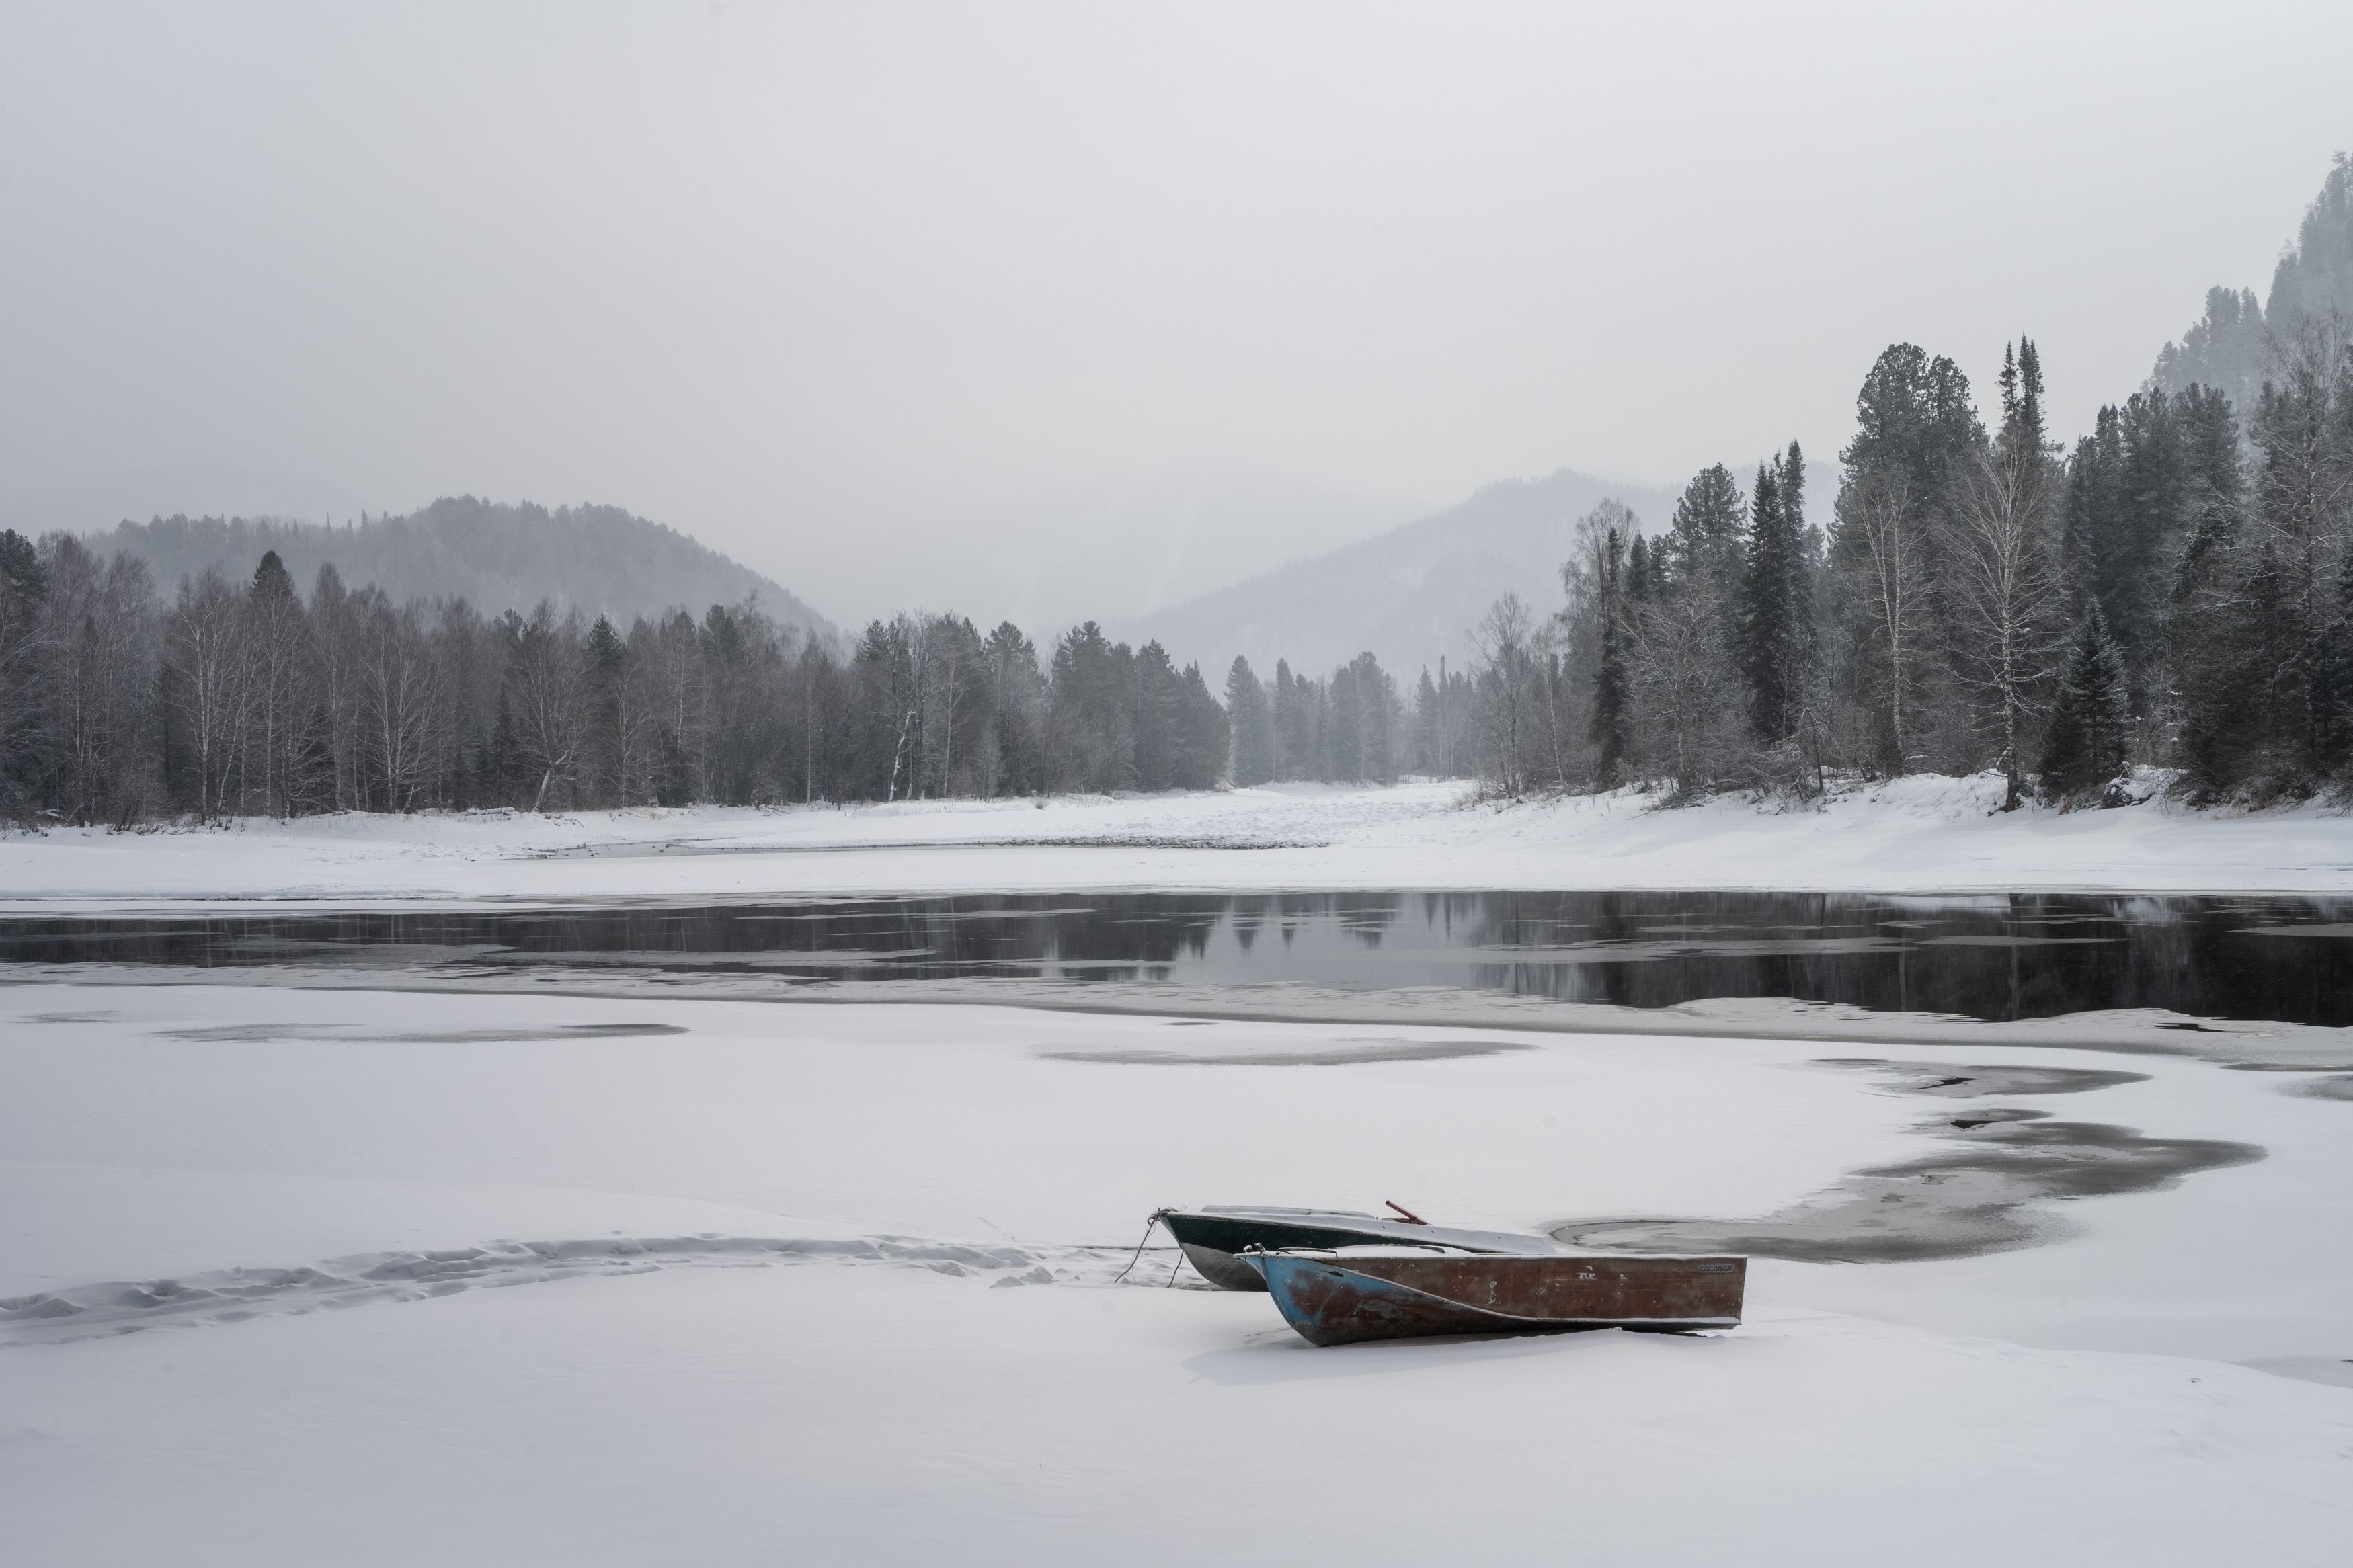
[848,290]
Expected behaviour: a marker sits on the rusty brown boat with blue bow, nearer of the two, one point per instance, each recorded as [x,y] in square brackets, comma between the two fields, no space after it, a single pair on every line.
[1342,1296]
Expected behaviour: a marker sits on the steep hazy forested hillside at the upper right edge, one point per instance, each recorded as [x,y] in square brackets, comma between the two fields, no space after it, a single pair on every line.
[2232,344]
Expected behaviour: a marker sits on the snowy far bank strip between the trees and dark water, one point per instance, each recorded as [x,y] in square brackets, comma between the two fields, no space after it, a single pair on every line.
[1912,836]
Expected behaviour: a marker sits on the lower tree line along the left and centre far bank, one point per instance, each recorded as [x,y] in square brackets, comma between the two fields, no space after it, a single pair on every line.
[251,697]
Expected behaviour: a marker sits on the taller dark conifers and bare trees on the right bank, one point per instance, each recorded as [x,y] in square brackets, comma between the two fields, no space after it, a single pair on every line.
[2178,589]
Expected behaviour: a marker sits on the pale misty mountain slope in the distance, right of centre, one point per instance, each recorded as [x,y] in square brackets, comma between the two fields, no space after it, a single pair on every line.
[1411,594]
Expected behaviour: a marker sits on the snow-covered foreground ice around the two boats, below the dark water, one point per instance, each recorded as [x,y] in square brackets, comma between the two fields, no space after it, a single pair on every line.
[869,1400]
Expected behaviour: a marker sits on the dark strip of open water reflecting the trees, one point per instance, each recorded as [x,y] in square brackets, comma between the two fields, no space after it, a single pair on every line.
[1985,956]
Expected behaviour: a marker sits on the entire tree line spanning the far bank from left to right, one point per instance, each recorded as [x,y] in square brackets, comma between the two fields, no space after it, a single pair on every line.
[2178,591]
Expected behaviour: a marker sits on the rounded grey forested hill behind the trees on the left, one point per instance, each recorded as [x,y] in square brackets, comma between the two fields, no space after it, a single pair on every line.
[495,556]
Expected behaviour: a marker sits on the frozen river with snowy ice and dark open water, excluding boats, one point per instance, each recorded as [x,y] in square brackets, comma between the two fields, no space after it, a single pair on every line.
[2037,1233]
